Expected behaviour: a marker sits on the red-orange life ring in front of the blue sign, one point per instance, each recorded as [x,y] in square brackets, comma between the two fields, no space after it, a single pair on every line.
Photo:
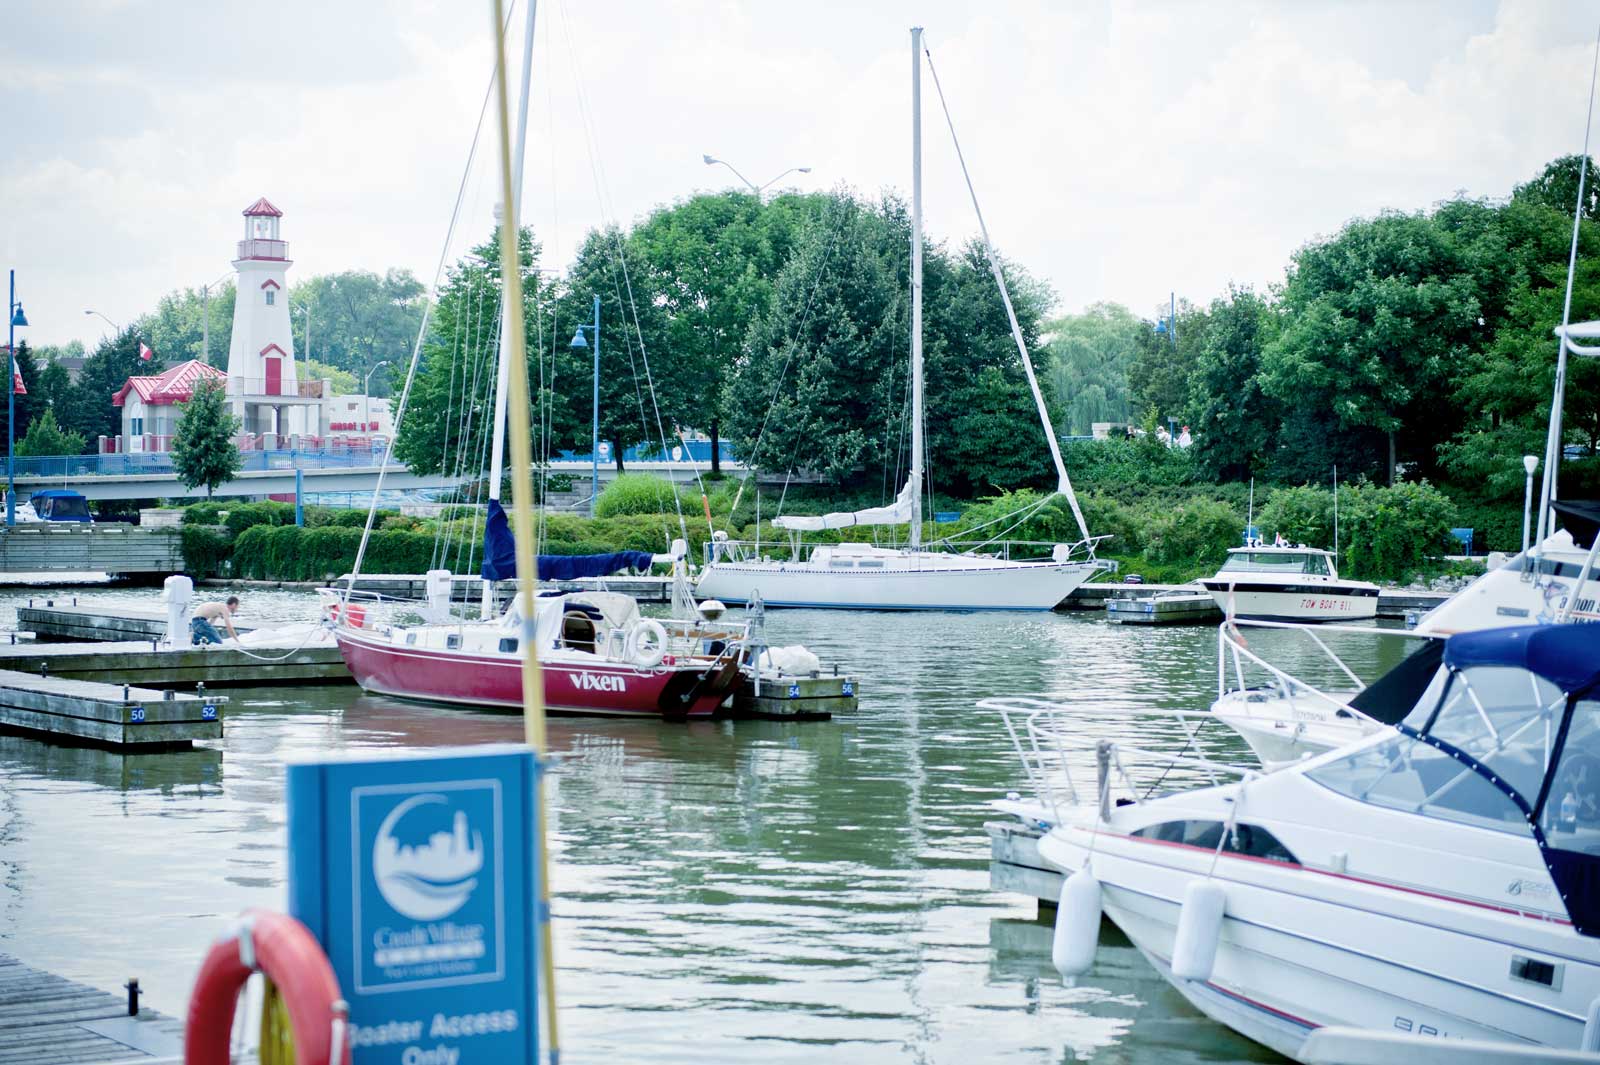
[286,951]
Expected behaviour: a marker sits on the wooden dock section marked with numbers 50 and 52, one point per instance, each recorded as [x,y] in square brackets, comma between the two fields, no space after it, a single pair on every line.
[95,714]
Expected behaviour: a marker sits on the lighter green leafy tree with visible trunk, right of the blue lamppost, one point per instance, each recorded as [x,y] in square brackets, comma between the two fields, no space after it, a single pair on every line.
[711,263]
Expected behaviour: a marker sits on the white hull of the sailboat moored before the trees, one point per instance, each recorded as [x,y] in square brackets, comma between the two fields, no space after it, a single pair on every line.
[934,588]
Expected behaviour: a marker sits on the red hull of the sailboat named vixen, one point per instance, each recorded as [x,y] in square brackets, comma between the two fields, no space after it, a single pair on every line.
[495,682]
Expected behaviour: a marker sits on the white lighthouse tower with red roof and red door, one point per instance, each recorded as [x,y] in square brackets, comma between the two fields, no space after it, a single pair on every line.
[262,383]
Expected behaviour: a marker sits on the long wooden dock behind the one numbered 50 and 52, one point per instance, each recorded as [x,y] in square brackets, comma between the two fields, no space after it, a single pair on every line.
[153,664]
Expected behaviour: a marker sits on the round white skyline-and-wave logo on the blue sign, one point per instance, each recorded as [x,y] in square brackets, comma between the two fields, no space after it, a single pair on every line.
[434,879]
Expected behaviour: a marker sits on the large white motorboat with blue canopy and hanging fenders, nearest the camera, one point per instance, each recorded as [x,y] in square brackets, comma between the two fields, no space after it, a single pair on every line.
[1438,879]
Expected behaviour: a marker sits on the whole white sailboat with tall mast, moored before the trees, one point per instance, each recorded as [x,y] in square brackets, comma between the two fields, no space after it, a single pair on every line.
[865,576]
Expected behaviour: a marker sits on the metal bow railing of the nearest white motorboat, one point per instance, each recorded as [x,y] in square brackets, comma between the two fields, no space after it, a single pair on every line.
[1074,756]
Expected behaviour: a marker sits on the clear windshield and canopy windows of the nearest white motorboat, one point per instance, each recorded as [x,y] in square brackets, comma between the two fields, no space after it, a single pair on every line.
[1503,719]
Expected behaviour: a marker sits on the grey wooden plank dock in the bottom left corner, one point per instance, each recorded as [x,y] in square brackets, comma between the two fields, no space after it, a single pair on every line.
[52,1021]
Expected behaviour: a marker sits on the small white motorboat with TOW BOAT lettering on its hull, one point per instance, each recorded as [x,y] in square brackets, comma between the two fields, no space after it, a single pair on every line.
[1289,583]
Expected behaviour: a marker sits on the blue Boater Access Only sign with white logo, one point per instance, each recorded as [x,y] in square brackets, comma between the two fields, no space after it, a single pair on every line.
[417,877]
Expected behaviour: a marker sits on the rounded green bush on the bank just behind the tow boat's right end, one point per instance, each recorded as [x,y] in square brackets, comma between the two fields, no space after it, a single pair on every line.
[1391,533]
